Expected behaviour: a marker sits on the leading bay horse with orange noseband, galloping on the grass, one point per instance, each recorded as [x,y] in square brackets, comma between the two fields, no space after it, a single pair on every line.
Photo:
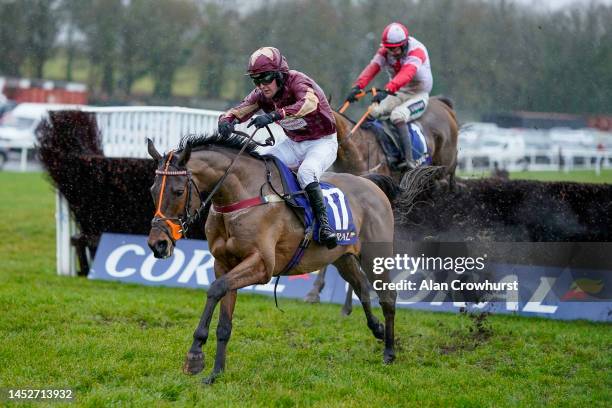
[254,244]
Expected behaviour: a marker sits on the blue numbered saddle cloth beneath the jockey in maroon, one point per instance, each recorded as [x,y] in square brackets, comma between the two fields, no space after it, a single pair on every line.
[338,208]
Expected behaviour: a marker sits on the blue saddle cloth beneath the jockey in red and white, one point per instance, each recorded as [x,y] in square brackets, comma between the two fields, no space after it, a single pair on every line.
[389,139]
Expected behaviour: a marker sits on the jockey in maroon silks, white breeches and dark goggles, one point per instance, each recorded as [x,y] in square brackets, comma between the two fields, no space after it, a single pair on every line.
[294,101]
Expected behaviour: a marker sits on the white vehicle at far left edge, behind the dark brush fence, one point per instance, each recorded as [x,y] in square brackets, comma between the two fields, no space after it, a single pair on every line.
[18,127]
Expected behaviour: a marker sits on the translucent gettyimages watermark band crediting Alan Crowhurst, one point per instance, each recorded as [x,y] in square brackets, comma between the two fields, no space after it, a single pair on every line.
[491,271]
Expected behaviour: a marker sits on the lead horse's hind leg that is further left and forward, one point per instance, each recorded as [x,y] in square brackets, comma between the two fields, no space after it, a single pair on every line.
[350,270]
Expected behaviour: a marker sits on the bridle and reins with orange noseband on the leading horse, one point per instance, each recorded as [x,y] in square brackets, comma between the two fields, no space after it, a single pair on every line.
[178,226]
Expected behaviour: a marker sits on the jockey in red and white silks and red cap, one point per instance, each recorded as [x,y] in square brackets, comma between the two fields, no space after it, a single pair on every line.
[406,95]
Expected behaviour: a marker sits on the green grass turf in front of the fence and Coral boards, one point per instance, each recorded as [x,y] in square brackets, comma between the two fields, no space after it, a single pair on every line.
[119,344]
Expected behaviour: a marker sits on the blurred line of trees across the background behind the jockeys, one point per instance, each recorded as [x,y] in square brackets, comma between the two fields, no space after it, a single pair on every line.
[494,55]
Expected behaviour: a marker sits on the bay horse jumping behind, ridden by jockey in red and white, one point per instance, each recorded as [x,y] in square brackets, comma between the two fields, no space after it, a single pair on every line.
[360,153]
